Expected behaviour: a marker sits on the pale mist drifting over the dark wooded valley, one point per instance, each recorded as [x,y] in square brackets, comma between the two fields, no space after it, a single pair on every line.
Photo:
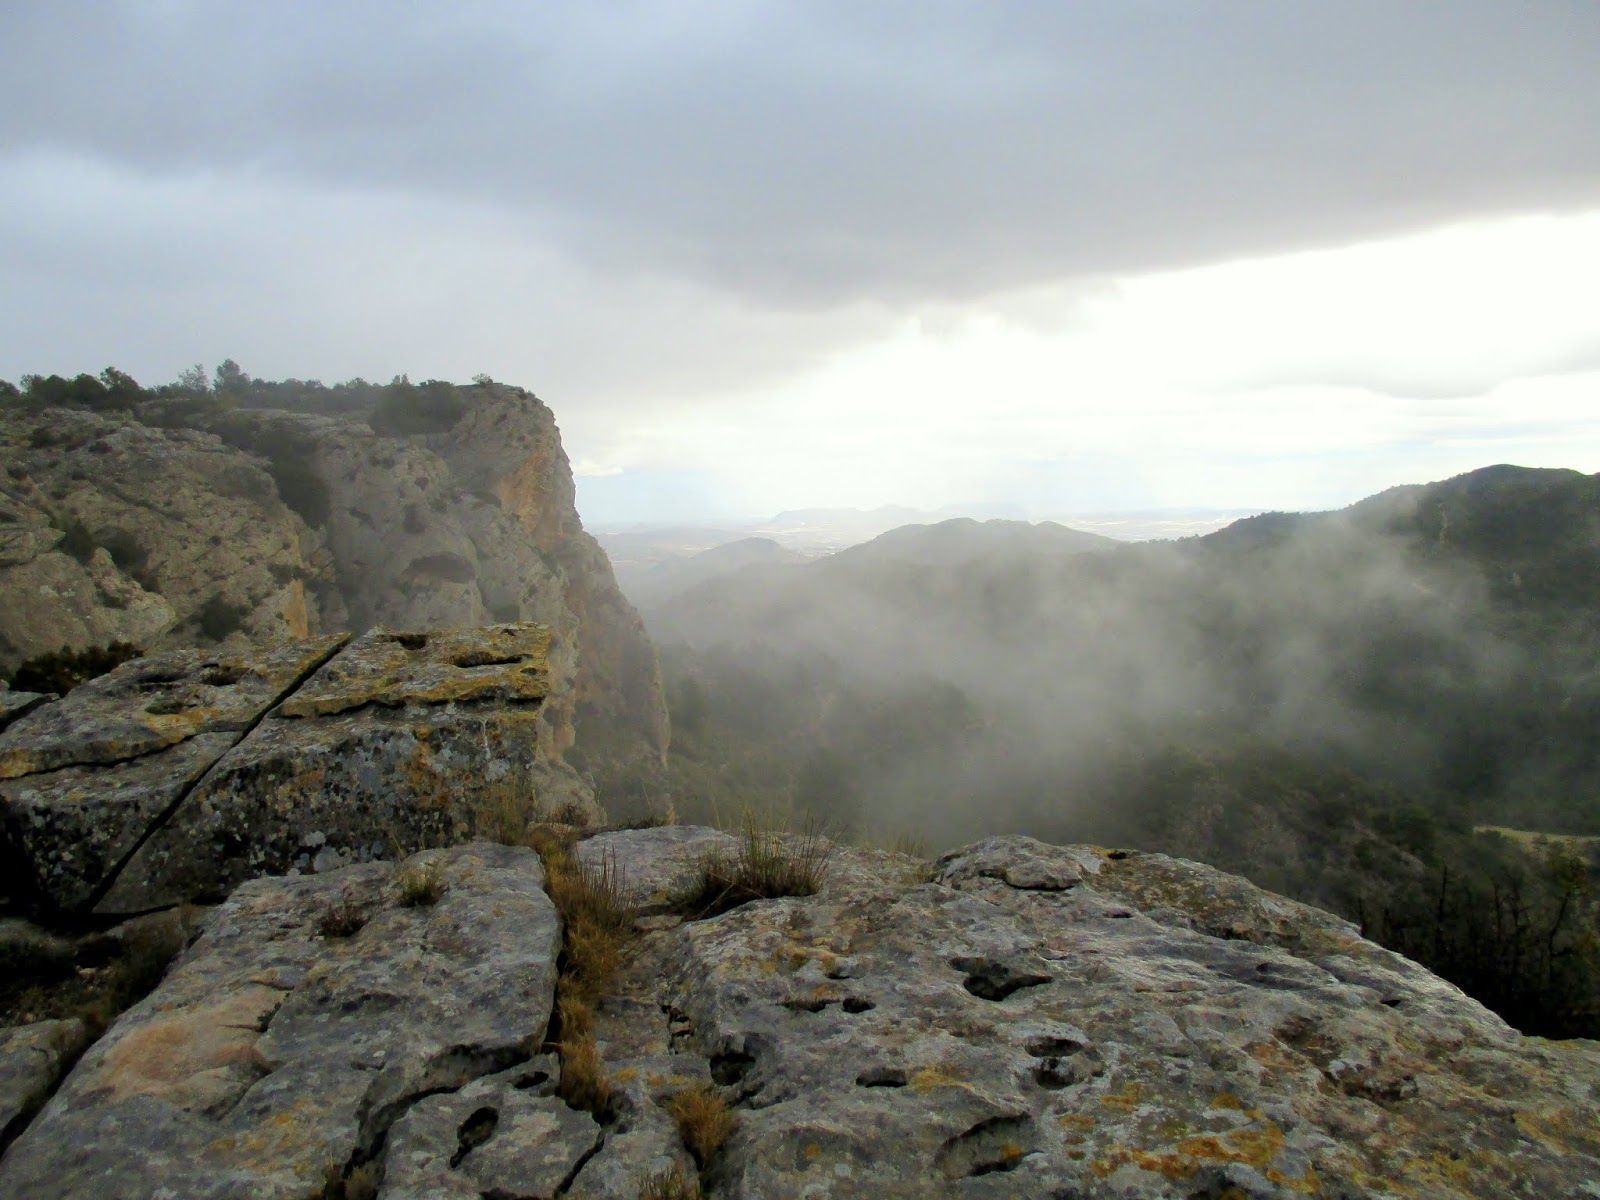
[1132,694]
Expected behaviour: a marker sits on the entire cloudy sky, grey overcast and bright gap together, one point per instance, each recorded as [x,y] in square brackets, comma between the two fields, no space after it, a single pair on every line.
[1078,258]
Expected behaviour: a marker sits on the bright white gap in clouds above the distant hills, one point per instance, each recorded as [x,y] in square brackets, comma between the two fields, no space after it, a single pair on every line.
[1294,382]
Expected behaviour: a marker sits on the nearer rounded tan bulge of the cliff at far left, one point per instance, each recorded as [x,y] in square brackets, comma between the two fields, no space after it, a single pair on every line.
[118,532]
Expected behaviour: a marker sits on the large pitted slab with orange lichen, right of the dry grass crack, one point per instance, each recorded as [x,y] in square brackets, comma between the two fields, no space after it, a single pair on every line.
[1068,1023]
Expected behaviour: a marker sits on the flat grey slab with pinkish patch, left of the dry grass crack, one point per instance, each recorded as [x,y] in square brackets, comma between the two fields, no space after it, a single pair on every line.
[311,1017]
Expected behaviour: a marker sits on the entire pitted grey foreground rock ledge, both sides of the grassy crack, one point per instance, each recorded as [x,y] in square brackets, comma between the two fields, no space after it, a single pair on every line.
[1014,1022]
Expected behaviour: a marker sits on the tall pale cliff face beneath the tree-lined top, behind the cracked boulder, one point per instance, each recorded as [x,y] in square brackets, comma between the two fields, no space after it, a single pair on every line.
[263,526]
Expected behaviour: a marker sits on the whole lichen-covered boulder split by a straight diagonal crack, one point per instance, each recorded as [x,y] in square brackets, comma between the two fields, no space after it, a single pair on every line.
[178,777]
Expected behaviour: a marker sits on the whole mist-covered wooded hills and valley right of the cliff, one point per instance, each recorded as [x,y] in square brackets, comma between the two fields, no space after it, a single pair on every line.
[1326,703]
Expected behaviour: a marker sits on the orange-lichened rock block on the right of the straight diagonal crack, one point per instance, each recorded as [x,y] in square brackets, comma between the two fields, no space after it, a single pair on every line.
[394,745]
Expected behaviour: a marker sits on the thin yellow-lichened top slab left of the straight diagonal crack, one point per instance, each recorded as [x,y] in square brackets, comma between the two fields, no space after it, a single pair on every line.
[158,702]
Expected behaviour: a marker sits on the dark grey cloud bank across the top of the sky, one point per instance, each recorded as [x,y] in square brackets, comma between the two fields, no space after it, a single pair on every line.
[830,153]
